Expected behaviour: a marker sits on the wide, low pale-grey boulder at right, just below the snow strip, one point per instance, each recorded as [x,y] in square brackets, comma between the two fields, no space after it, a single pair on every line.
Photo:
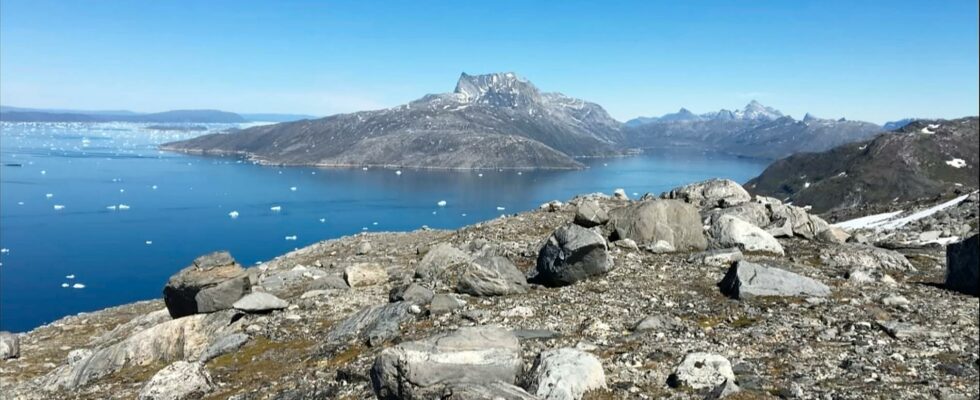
[853,256]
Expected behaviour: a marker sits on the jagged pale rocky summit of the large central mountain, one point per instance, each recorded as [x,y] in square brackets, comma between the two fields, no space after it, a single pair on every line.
[503,89]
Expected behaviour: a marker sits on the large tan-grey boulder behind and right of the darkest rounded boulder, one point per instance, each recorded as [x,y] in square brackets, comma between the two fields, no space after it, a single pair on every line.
[648,222]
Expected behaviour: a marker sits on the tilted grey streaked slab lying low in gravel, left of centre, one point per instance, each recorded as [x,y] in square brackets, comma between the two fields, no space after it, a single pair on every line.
[373,325]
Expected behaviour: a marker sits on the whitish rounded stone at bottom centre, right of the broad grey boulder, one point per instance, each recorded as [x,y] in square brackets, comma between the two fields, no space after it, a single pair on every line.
[565,374]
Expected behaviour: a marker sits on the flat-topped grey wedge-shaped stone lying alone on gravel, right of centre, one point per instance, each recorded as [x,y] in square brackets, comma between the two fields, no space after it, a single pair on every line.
[746,280]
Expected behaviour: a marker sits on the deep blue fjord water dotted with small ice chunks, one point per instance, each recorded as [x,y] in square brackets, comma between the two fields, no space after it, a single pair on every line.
[178,208]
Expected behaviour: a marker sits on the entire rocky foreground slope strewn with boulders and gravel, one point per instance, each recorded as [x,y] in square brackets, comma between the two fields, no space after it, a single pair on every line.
[701,292]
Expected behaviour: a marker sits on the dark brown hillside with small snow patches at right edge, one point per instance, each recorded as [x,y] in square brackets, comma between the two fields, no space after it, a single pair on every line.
[923,159]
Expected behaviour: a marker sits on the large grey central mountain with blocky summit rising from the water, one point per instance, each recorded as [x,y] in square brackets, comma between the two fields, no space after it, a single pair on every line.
[489,121]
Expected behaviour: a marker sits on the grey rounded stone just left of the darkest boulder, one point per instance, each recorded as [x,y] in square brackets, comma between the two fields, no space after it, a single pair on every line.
[491,276]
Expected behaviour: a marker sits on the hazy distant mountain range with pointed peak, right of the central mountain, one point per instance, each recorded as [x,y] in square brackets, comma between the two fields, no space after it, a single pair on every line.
[754,131]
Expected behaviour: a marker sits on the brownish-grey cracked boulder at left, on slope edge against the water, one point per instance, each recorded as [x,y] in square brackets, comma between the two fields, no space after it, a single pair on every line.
[211,283]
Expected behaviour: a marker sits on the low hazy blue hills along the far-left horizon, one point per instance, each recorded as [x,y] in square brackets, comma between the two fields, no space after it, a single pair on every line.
[19,114]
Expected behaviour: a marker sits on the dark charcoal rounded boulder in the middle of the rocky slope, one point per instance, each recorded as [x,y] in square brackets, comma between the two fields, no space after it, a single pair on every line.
[571,253]
